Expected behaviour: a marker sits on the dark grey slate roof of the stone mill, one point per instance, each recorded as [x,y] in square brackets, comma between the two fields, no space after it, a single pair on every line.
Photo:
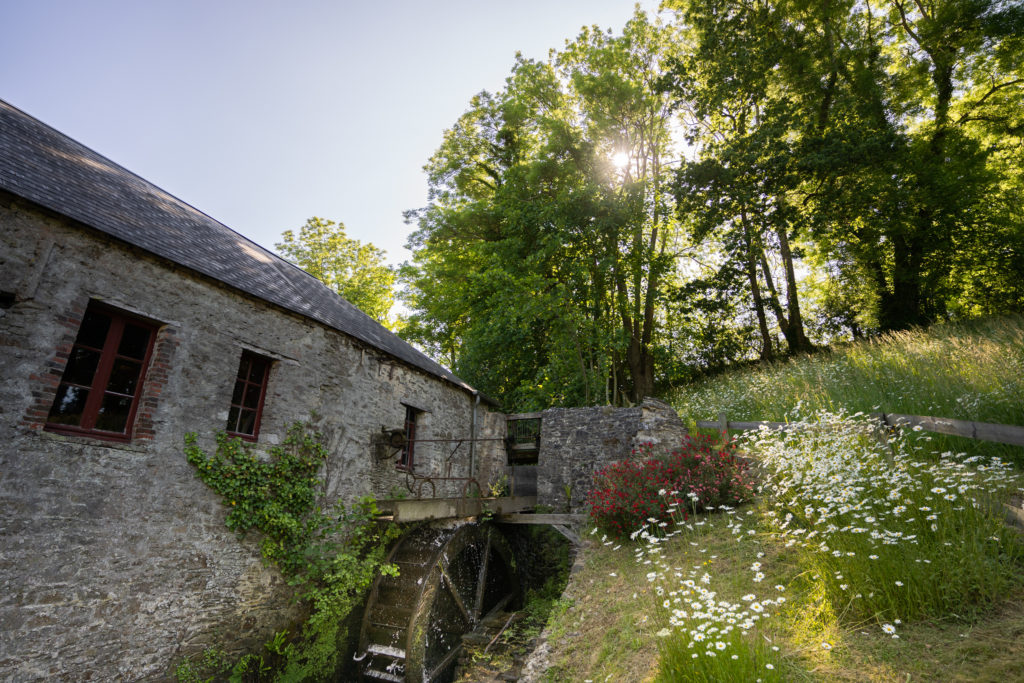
[45,166]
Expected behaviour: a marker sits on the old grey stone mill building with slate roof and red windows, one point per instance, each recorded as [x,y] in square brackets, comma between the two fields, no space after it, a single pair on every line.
[127,320]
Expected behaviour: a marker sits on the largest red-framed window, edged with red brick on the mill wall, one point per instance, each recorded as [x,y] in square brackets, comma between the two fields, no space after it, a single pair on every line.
[102,383]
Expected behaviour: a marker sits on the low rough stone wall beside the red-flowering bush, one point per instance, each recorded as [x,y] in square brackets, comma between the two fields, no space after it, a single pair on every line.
[578,442]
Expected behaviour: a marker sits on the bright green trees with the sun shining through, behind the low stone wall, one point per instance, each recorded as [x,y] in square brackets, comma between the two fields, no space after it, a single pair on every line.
[539,269]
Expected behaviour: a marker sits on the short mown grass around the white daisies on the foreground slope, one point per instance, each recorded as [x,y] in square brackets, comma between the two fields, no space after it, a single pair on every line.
[601,632]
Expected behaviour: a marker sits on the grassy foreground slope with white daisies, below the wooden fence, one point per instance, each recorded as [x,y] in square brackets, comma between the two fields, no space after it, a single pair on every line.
[863,561]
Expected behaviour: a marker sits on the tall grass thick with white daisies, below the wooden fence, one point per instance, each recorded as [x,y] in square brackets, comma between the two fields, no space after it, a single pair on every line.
[884,534]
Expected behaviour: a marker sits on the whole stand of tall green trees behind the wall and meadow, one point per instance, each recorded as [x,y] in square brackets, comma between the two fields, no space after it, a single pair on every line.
[748,181]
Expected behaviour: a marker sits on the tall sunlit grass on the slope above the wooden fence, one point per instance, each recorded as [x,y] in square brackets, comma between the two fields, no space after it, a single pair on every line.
[971,371]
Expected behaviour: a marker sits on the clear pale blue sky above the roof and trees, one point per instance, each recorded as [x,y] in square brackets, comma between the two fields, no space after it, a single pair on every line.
[264,114]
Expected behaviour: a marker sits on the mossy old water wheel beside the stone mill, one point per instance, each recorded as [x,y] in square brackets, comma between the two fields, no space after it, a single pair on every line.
[450,580]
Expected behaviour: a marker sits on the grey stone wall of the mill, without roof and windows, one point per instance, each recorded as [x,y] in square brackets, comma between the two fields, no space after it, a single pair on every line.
[115,561]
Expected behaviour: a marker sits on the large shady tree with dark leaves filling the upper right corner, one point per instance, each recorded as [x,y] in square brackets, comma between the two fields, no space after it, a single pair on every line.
[894,119]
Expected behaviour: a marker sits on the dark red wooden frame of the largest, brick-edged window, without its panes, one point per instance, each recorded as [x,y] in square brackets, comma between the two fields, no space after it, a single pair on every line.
[99,387]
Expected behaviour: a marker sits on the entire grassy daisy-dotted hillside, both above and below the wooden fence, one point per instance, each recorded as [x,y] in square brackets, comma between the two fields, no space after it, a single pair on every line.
[865,556]
